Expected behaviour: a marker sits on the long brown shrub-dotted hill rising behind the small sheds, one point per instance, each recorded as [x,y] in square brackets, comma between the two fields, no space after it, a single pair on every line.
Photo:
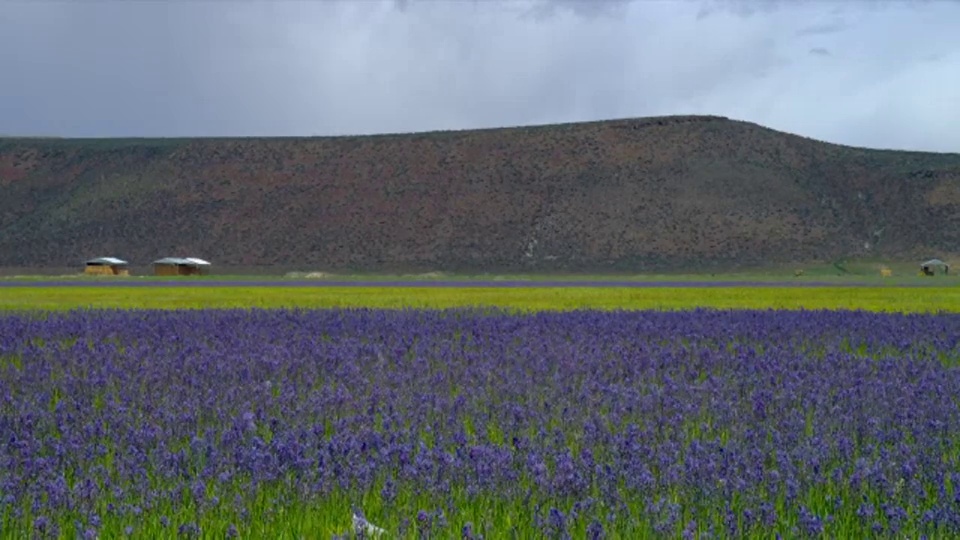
[625,195]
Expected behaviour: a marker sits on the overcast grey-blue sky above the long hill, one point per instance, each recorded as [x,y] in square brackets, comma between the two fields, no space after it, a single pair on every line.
[874,73]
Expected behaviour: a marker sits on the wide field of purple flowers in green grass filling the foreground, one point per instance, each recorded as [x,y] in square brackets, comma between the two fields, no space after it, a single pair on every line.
[468,423]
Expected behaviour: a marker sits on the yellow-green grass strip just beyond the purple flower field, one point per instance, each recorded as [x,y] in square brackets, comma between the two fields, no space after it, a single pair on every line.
[899,299]
